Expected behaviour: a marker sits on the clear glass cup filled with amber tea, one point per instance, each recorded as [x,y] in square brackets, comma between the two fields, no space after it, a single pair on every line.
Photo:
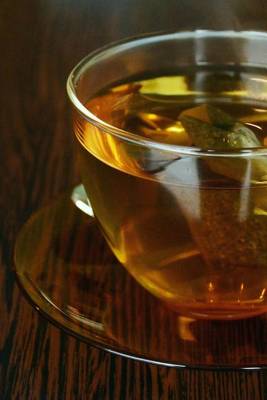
[196,242]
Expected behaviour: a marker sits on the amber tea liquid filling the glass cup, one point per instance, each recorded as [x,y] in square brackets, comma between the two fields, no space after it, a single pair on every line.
[193,237]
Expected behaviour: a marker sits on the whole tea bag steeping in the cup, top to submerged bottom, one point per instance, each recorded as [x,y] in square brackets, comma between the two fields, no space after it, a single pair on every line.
[231,227]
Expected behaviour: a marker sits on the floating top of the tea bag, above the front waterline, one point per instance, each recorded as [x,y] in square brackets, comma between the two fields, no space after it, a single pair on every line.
[211,128]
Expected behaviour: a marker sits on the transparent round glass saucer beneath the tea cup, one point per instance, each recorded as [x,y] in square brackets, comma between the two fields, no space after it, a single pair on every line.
[69,274]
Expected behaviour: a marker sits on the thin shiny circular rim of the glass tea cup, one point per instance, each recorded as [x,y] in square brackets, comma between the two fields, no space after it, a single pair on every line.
[131,137]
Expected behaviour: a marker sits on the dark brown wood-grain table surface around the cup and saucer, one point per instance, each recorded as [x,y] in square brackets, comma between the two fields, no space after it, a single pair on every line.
[40,41]
